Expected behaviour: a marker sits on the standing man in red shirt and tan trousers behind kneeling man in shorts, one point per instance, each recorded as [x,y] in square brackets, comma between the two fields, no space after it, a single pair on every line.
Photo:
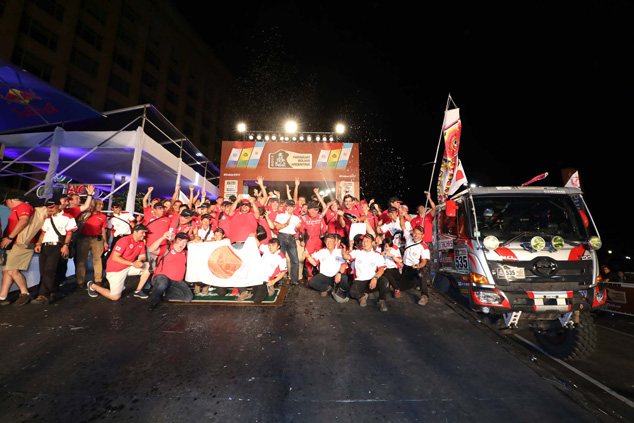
[92,239]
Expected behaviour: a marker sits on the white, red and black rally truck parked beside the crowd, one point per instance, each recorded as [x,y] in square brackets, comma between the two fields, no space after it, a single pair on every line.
[523,257]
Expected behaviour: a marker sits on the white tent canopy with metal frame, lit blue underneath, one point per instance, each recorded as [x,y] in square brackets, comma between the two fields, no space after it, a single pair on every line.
[137,147]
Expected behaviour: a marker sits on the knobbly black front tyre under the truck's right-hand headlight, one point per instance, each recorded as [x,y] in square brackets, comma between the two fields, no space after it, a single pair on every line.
[571,344]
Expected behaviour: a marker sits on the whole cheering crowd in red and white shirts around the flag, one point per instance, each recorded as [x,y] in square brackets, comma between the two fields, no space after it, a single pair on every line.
[340,246]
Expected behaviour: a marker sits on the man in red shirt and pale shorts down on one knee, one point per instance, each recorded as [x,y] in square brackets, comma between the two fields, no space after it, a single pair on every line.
[127,259]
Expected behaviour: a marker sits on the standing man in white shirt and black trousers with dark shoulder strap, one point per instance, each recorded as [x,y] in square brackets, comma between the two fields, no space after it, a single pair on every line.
[52,246]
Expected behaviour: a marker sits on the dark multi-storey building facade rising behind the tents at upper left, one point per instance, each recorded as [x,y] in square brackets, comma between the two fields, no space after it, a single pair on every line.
[112,54]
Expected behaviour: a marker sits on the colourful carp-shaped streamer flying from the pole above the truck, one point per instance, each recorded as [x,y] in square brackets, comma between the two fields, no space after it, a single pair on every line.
[451,132]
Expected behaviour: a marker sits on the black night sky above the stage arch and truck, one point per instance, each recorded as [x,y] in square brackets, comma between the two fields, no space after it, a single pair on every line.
[540,89]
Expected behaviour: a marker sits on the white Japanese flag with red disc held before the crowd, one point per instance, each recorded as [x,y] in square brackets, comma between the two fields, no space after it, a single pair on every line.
[219,263]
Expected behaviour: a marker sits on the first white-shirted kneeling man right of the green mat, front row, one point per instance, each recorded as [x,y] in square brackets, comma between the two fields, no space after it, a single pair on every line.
[332,267]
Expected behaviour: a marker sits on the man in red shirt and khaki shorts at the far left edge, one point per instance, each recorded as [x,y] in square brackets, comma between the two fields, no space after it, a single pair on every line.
[18,257]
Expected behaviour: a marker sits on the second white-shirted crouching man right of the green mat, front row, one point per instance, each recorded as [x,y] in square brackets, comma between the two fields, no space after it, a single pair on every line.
[368,273]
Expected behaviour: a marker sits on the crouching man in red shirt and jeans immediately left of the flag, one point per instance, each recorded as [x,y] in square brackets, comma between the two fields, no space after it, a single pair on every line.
[169,275]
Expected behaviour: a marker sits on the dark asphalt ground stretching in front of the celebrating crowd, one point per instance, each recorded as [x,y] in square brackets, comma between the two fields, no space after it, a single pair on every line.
[311,360]
